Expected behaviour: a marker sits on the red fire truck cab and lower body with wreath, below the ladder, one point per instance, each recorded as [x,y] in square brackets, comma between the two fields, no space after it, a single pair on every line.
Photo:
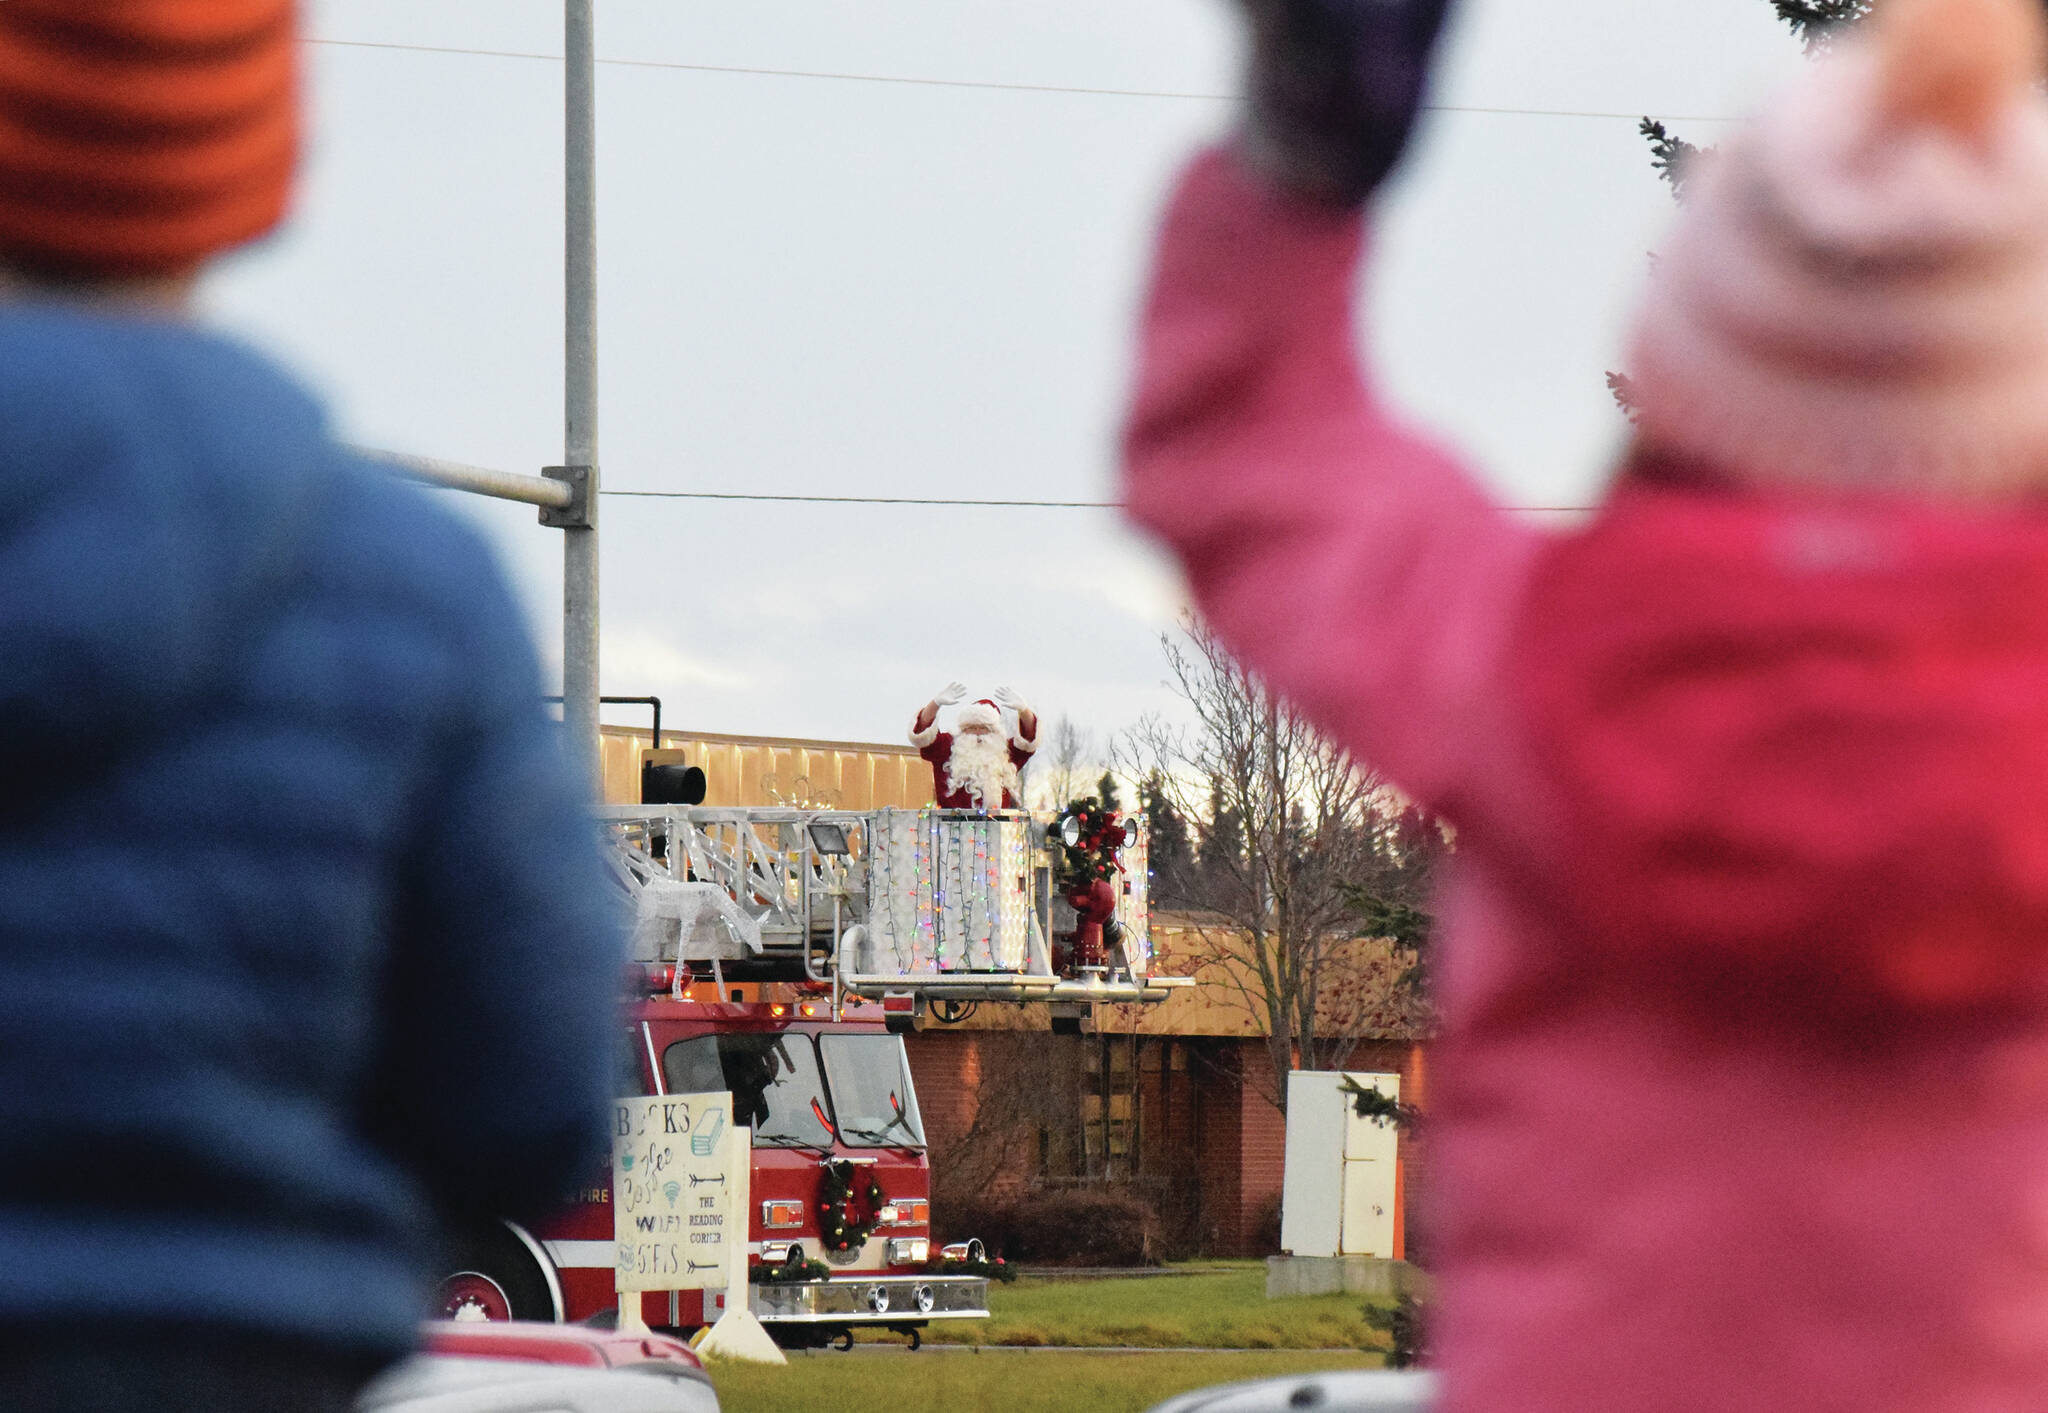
[835,1117]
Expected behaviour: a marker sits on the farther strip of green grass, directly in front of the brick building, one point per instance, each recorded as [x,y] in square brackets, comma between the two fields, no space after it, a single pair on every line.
[1218,1308]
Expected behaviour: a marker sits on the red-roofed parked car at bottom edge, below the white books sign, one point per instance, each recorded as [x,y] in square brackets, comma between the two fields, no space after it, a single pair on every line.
[515,1367]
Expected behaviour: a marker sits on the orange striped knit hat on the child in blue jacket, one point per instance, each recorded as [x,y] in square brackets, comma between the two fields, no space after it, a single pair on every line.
[138,138]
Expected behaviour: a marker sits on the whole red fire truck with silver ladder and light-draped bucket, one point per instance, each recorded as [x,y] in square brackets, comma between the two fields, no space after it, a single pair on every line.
[781,955]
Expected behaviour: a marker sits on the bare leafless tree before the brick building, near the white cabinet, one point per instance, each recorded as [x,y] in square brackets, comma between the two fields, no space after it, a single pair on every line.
[1295,834]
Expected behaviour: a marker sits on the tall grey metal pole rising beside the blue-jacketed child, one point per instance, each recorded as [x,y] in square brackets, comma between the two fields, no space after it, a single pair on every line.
[581,392]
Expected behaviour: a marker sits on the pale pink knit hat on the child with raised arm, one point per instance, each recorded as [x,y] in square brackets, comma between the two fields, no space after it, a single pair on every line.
[1857,292]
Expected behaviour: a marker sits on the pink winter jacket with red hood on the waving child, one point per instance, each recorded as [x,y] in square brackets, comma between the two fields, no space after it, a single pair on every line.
[1744,1082]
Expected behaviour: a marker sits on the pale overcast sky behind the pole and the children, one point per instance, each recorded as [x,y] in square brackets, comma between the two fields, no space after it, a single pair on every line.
[892,249]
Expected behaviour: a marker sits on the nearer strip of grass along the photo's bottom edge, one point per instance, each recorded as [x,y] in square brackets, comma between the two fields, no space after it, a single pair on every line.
[1005,1381]
